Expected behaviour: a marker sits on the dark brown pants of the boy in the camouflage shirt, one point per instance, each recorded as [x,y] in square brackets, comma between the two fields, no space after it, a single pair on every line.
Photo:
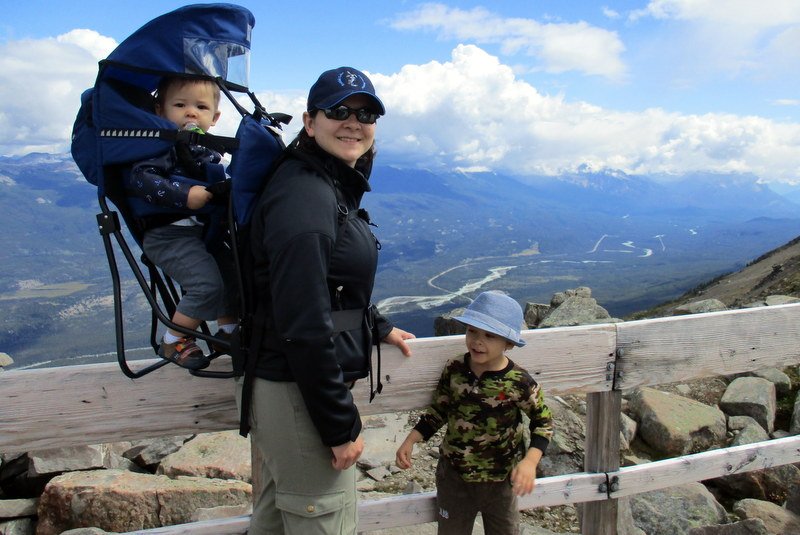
[459,502]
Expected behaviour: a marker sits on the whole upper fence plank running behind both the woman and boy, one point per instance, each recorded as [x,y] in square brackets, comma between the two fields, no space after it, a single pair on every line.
[96,403]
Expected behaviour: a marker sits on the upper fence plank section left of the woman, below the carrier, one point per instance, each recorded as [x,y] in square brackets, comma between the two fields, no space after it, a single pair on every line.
[96,403]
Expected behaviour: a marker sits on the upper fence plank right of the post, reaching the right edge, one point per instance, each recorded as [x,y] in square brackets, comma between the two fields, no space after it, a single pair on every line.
[681,348]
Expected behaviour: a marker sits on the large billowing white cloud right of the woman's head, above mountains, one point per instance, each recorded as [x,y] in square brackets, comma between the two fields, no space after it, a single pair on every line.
[471,112]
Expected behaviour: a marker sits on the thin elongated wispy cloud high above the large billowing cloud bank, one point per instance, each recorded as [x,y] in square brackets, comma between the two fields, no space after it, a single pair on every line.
[557,47]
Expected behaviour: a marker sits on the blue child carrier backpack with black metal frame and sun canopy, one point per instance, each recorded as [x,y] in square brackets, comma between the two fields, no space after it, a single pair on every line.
[116,125]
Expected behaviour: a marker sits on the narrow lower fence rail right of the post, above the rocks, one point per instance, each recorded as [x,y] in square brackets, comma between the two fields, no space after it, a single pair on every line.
[706,465]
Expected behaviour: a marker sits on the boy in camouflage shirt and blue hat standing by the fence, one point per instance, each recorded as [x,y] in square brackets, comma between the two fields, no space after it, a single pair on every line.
[481,397]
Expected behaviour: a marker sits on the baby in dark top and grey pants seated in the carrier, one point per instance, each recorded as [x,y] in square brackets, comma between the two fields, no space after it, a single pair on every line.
[173,185]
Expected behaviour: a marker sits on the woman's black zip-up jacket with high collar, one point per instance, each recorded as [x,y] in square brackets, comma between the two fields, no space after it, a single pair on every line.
[306,266]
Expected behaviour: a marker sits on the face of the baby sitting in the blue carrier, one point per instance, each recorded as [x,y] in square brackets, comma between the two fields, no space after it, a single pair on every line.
[191,102]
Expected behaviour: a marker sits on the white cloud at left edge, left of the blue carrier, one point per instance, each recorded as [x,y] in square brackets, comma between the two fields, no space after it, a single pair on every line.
[40,86]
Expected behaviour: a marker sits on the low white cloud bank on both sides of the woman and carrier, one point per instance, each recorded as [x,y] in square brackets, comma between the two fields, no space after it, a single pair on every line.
[470,112]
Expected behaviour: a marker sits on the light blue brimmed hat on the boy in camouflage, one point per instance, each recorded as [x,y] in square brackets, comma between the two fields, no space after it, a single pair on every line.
[496,313]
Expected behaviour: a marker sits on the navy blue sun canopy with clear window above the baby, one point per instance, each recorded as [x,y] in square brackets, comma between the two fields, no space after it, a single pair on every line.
[207,40]
